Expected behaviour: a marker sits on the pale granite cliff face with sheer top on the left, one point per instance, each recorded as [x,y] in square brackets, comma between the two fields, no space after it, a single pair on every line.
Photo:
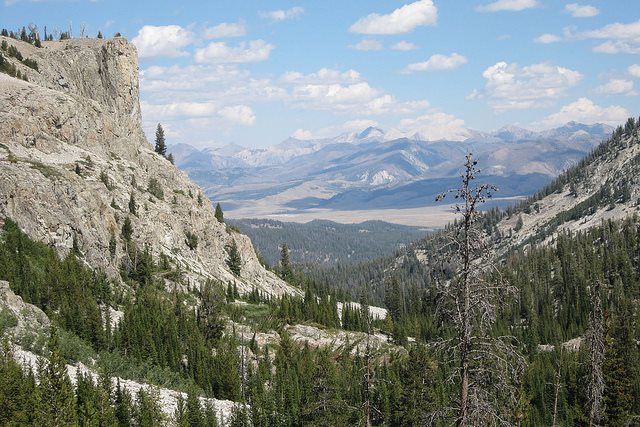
[72,153]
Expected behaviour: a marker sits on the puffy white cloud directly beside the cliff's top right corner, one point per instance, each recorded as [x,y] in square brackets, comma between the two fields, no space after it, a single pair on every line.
[168,40]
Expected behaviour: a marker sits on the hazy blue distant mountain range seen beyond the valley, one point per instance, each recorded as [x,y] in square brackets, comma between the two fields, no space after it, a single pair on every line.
[373,169]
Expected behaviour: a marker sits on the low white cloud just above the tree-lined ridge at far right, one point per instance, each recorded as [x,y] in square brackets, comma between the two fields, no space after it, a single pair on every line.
[585,111]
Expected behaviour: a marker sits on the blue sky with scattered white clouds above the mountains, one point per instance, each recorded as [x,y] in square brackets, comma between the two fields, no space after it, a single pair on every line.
[254,73]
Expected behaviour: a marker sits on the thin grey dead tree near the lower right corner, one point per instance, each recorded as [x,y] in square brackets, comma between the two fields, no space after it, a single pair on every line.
[595,390]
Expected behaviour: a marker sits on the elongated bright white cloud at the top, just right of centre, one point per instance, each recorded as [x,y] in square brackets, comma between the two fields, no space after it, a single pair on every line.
[402,20]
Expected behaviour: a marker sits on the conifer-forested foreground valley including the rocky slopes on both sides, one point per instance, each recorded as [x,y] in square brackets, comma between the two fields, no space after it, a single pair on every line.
[126,301]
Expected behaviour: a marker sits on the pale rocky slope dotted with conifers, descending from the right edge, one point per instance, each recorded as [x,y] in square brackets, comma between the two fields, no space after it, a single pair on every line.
[605,185]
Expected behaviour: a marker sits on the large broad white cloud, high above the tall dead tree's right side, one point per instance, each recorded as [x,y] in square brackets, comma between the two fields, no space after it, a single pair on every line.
[509,86]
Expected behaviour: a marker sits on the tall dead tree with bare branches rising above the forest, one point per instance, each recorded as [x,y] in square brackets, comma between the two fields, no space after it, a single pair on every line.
[488,367]
